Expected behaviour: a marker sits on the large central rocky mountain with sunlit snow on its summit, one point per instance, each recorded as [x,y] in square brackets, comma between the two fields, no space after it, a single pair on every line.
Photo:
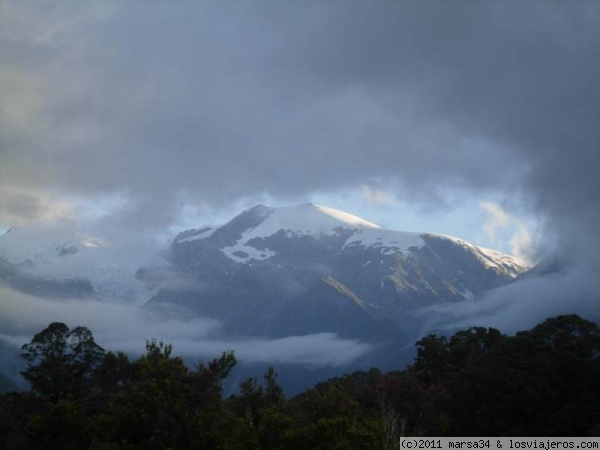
[298,270]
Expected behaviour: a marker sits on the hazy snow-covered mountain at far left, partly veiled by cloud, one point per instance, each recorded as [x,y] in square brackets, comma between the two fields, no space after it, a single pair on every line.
[62,262]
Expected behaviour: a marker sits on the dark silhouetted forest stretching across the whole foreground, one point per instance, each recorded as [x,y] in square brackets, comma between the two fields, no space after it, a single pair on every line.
[478,382]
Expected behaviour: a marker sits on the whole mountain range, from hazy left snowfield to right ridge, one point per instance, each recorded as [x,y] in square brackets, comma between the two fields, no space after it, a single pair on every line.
[270,274]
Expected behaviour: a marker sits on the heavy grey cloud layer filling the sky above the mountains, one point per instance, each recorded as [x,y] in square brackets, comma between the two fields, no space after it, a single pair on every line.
[216,100]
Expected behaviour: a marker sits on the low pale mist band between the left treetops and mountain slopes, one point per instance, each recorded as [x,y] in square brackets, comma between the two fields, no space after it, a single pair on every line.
[127,327]
